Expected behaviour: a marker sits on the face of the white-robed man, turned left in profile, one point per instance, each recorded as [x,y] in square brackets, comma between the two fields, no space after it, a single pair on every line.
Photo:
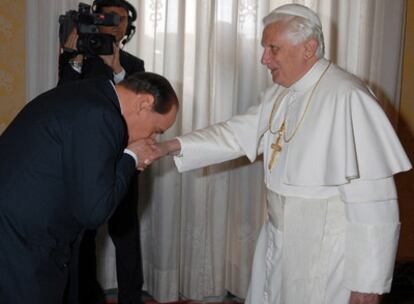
[285,61]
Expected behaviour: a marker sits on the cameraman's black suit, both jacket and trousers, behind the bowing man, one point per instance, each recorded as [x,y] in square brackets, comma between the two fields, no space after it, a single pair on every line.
[123,226]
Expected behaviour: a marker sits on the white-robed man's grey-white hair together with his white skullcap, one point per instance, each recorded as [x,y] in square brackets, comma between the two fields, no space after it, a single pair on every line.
[302,24]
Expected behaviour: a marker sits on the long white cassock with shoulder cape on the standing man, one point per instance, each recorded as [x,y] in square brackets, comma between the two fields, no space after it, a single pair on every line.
[333,222]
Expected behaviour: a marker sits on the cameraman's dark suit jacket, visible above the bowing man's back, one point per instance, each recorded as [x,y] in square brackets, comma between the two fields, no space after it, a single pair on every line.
[95,66]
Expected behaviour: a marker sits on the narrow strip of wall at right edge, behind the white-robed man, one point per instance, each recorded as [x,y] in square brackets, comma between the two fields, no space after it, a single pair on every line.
[405,181]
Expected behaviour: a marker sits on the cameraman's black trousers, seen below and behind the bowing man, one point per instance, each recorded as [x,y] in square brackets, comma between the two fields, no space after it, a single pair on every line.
[123,228]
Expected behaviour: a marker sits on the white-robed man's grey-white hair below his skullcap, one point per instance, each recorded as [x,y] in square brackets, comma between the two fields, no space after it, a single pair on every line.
[299,29]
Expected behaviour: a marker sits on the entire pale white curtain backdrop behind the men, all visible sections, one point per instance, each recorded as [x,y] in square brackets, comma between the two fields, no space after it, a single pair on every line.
[198,229]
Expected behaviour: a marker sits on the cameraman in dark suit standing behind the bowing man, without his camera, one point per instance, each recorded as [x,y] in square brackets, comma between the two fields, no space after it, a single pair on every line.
[123,225]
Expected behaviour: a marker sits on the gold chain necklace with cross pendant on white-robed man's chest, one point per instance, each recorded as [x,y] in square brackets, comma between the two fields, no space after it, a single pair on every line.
[277,146]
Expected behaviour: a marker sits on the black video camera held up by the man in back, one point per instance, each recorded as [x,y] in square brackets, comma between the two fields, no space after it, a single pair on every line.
[90,41]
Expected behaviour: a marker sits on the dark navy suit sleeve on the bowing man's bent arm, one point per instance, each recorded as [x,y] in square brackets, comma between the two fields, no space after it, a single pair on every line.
[97,172]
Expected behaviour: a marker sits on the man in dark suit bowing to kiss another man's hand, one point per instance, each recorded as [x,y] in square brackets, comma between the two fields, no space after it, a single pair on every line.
[66,161]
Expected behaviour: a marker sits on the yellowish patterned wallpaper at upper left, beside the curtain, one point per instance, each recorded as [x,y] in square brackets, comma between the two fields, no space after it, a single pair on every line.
[12,60]
